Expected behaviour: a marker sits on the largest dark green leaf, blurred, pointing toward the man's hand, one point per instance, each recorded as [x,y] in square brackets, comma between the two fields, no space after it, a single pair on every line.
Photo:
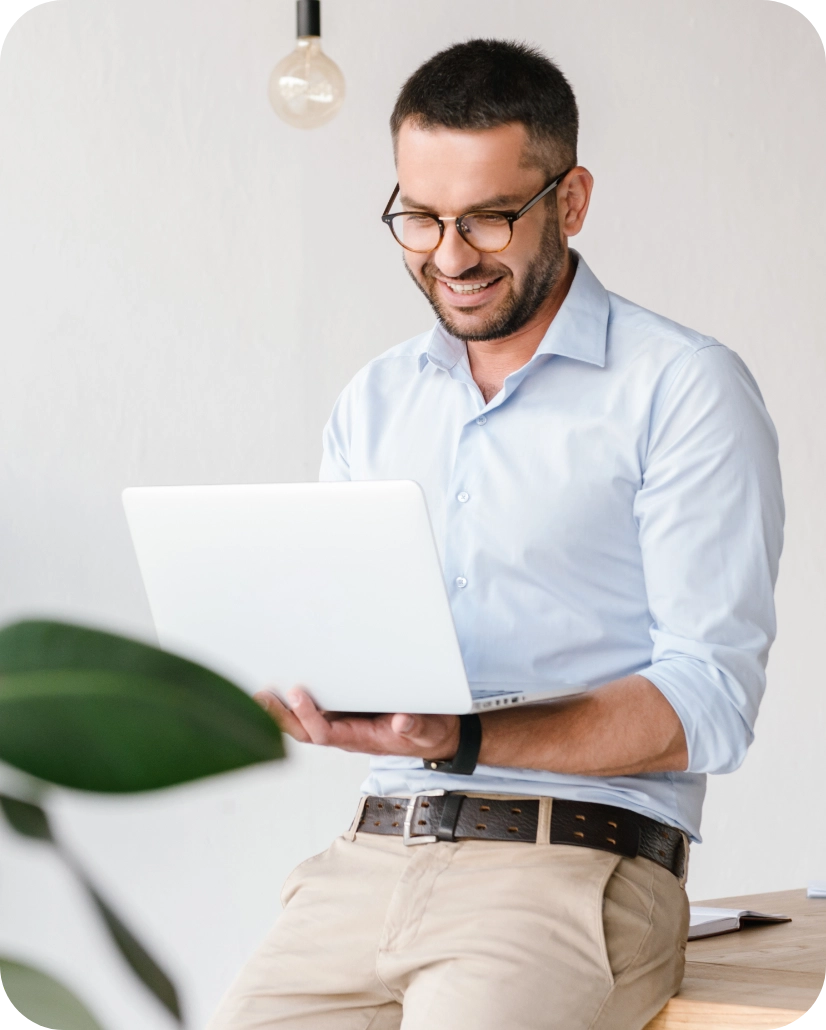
[94,711]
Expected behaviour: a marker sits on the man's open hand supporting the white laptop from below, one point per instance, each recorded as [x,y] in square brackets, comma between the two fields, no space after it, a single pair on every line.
[432,737]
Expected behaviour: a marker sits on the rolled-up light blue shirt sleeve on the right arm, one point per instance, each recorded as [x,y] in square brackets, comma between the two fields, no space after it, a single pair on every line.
[710,516]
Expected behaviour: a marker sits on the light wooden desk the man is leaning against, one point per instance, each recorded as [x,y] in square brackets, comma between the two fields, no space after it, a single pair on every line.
[762,978]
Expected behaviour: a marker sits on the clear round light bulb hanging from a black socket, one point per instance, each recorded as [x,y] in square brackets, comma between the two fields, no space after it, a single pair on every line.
[307,89]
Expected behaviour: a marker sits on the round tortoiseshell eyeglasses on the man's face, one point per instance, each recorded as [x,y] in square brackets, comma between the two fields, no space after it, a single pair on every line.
[488,232]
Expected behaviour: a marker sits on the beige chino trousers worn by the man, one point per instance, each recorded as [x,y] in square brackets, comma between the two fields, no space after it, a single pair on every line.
[472,936]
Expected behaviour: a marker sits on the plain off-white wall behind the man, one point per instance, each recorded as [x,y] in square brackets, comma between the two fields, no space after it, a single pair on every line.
[176,310]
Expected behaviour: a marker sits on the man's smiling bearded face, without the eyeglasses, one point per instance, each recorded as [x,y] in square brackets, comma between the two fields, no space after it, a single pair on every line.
[451,173]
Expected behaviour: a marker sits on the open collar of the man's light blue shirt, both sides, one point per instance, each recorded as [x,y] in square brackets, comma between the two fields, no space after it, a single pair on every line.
[579,330]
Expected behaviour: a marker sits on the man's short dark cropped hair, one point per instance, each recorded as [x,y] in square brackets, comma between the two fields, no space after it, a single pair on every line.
[487,83]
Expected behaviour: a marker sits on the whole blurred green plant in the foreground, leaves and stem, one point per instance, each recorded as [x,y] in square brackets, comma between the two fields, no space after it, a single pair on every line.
[97,712]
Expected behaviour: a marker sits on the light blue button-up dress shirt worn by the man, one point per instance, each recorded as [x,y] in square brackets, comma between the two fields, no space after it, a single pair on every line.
[615,509]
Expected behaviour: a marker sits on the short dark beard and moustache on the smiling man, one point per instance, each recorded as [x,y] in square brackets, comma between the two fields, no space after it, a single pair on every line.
[523,301]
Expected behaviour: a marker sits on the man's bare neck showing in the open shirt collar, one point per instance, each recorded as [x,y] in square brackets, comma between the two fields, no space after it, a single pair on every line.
[493,361]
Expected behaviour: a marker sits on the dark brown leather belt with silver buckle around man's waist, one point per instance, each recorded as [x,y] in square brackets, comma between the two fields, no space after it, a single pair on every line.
[438,816]
